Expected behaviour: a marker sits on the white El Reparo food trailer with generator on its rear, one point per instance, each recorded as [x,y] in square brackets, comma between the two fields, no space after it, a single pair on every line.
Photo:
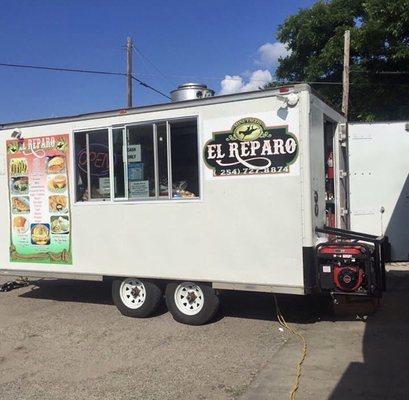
[230,192]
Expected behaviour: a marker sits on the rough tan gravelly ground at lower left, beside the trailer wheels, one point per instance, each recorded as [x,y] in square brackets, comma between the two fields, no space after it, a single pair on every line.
[65,339]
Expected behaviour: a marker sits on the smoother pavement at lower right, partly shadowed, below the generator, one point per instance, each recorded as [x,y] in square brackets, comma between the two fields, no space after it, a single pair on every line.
[348,358]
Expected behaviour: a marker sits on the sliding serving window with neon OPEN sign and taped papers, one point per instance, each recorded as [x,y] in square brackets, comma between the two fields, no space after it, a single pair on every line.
[138,162]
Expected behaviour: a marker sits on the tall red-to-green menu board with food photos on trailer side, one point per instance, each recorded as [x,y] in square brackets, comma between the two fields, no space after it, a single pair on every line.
[39,200]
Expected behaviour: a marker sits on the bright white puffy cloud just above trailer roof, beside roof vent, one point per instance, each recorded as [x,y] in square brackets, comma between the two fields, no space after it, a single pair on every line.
[235,84]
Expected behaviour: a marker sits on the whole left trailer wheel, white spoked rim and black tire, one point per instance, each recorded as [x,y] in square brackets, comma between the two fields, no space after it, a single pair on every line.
[136,298]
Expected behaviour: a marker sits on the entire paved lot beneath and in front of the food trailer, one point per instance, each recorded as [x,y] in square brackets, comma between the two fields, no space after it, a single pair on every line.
[64,339]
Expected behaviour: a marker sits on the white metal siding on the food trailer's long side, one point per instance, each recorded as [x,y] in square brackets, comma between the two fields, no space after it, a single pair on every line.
[243,230]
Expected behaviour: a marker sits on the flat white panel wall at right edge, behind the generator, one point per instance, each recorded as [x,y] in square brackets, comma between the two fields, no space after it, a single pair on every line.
[379,195]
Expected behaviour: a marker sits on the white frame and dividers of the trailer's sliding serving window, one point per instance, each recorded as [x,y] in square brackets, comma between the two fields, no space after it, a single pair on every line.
[124,127]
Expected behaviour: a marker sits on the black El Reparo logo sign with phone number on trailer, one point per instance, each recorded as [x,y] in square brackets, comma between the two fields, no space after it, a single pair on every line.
[251,148]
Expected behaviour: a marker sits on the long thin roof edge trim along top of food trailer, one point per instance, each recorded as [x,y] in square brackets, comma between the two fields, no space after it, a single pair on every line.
[159,107]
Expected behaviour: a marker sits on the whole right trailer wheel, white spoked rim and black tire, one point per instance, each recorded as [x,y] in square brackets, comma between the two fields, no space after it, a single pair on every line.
[191,303]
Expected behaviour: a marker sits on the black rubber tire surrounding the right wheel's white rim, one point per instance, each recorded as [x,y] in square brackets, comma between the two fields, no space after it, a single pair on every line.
[207,311]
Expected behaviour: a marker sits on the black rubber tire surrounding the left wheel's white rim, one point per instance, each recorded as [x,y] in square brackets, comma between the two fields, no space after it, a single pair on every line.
[153,297]
